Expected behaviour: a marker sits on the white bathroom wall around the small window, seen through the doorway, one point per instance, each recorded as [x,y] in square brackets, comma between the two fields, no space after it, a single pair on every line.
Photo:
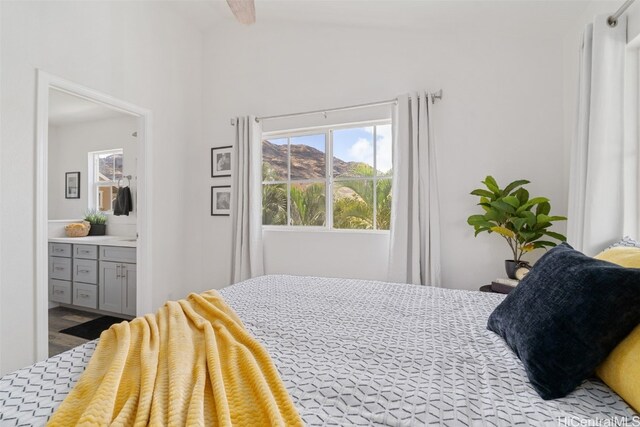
[69,146]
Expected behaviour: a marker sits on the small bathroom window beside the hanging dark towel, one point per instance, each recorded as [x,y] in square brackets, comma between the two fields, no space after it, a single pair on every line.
[105,169]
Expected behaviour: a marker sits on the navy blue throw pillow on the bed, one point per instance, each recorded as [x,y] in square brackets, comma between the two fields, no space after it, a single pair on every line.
[566,316]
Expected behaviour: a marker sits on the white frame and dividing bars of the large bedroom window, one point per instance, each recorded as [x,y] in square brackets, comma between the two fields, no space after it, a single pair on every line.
[329,179]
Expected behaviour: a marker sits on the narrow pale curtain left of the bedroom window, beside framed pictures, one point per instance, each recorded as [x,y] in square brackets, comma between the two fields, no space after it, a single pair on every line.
[247,257]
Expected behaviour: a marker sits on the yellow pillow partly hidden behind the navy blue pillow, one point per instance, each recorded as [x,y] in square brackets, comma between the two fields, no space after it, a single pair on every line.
[621,369]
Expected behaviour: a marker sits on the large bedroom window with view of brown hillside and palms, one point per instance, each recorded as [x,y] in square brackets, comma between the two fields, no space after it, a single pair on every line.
[343,171]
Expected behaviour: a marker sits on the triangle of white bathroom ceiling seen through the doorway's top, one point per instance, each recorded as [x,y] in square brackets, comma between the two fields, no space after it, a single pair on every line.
[67,109]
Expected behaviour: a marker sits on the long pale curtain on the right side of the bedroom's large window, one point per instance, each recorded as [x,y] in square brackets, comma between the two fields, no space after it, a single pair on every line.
[414,252]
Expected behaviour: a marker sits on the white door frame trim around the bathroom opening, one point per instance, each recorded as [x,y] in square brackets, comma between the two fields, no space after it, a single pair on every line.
[45,82]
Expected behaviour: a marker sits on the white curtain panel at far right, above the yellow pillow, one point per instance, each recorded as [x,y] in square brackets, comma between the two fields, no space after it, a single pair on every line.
[596,204]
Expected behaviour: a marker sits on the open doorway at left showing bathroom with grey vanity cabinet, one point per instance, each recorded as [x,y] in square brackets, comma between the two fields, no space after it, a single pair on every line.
[93,231]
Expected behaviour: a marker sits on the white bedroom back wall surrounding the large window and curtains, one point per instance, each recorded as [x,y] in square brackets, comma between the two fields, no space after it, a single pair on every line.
[501,114]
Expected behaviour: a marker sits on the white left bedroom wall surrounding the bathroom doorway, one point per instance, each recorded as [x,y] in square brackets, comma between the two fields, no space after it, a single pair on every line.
[141,52]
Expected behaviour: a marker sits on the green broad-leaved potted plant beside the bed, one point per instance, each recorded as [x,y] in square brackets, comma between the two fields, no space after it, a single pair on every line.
[522,221]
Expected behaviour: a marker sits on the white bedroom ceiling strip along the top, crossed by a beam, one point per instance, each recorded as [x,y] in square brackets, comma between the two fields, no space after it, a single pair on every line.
[550,15]
